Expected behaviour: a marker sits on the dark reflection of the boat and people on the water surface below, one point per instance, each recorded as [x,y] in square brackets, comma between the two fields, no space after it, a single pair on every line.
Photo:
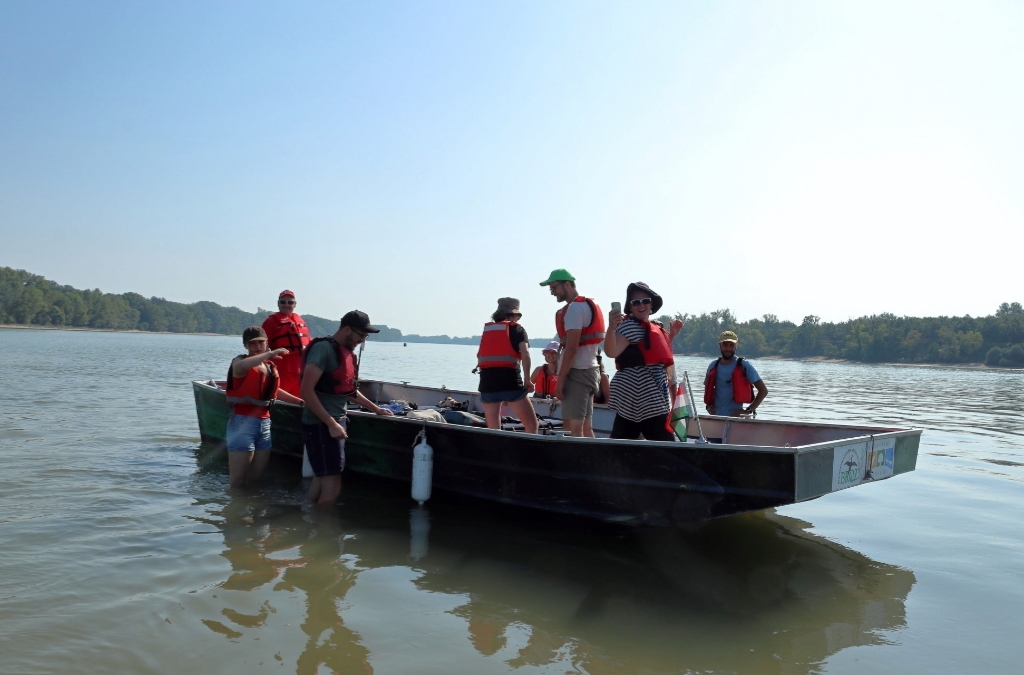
[755,594]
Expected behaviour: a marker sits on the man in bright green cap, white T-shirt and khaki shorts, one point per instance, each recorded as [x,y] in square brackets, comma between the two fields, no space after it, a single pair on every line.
[581,331]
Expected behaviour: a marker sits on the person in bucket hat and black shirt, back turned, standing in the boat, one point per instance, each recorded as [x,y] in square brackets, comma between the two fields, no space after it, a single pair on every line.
[503,346]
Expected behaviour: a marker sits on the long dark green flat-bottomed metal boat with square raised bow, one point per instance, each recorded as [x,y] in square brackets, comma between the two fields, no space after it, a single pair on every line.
[728,467]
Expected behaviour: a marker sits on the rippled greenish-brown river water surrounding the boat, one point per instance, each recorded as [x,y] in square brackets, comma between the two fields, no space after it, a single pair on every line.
[121,550]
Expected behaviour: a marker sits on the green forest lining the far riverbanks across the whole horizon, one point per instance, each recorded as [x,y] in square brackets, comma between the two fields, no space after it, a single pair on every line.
[997,341]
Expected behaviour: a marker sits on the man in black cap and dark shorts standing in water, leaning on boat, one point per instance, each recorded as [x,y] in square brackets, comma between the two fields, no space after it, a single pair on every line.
[330,377]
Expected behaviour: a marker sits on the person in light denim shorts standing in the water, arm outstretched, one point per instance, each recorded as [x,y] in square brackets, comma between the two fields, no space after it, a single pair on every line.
[253,386]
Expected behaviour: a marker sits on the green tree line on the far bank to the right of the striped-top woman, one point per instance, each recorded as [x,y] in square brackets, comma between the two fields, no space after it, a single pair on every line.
[996,341]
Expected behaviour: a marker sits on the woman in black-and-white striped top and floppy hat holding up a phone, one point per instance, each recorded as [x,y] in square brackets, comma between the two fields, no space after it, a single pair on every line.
[645,365]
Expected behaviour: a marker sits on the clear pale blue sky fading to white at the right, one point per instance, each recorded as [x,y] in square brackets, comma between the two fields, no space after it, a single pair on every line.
[419,160]
